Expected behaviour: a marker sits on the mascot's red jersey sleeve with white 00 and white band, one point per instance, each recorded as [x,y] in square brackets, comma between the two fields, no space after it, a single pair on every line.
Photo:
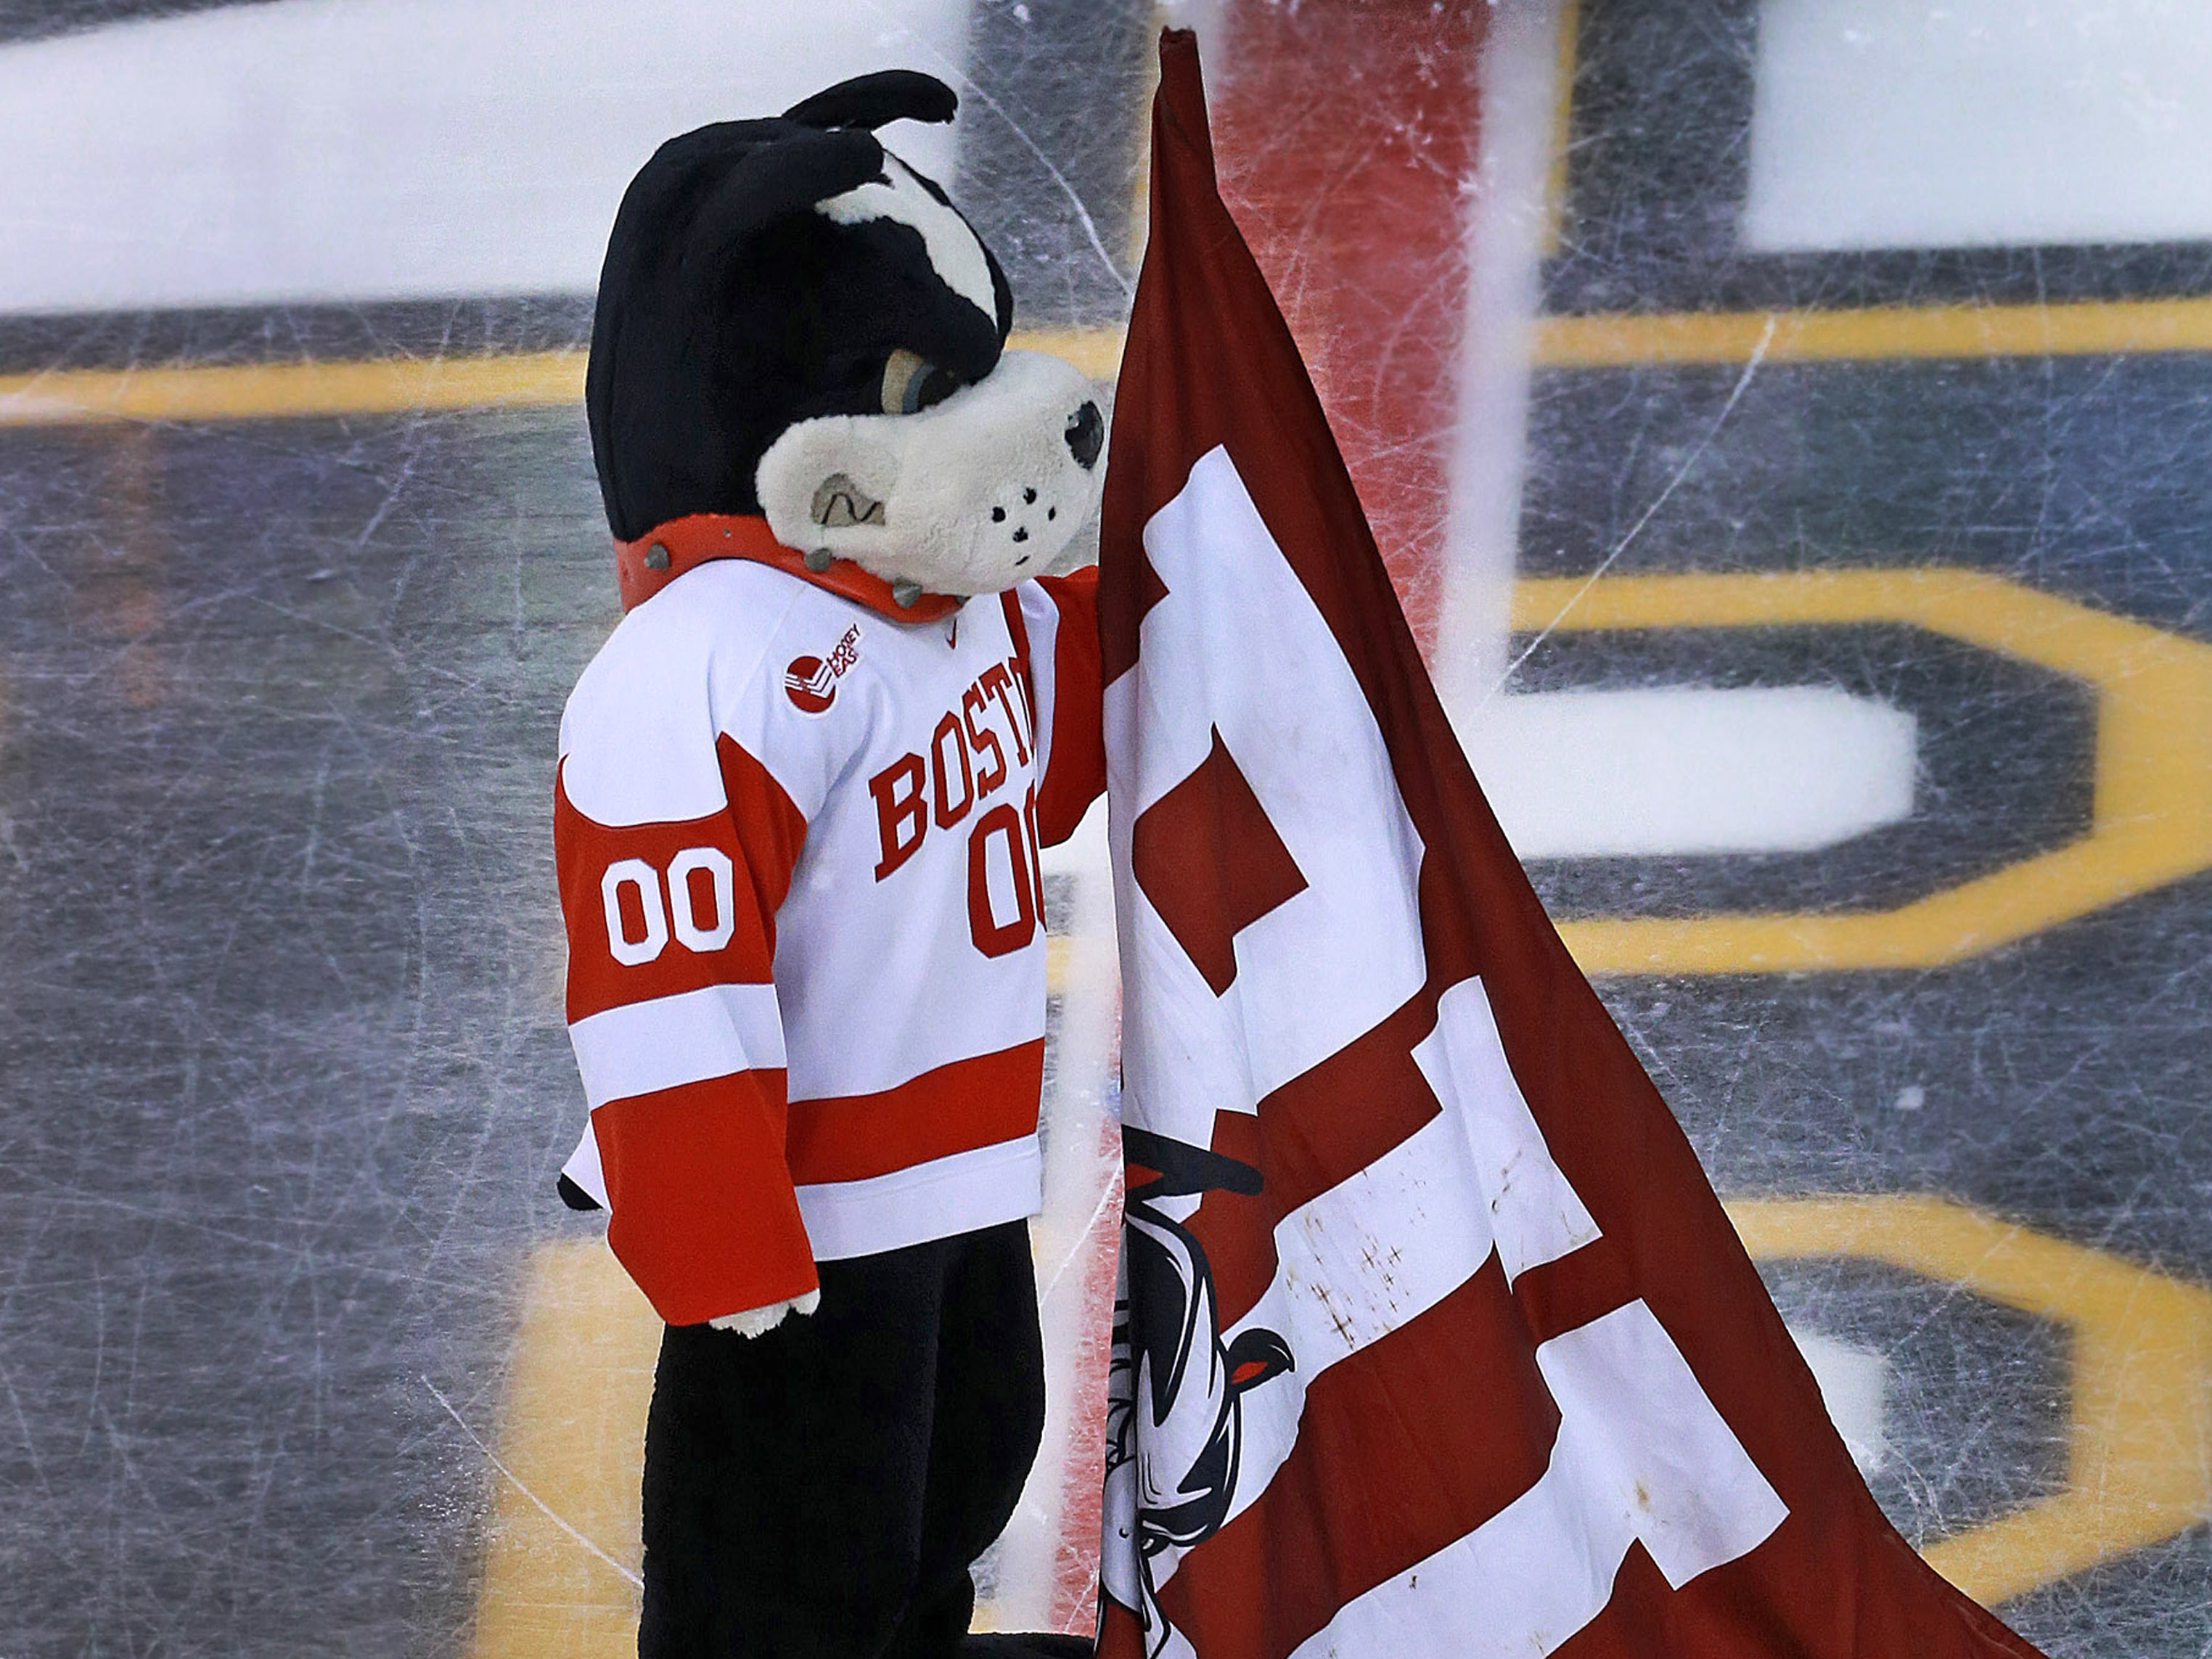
[680,1039]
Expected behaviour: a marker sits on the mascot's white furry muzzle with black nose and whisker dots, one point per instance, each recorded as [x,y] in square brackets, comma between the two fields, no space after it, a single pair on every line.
[966,497]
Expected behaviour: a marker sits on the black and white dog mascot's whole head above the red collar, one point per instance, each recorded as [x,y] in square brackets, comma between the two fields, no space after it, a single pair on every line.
[800,326]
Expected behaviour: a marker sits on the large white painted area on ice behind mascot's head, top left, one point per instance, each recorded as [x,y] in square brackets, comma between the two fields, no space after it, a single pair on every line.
[388,149]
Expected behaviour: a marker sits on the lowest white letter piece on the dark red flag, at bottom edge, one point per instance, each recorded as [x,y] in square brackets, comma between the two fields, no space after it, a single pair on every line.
[1640,1457]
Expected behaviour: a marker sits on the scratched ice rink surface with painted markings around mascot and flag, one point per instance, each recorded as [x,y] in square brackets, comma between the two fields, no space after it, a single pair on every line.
[1791,428]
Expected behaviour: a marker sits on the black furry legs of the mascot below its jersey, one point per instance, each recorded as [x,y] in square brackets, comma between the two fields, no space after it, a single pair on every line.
[820,1492]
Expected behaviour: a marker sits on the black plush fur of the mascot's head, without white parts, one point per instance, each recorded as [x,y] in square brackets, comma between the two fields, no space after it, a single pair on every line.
[729,309]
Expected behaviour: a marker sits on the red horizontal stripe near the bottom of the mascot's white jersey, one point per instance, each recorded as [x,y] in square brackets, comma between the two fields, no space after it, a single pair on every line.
[952,1109]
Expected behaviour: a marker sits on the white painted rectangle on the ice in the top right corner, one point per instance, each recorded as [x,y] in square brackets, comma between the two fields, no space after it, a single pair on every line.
[1919,125]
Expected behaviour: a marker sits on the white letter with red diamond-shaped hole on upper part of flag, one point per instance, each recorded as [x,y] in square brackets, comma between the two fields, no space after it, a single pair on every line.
[1344,954]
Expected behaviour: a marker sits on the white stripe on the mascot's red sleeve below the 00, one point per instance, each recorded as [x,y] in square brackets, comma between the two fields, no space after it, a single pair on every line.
[667,1043]
